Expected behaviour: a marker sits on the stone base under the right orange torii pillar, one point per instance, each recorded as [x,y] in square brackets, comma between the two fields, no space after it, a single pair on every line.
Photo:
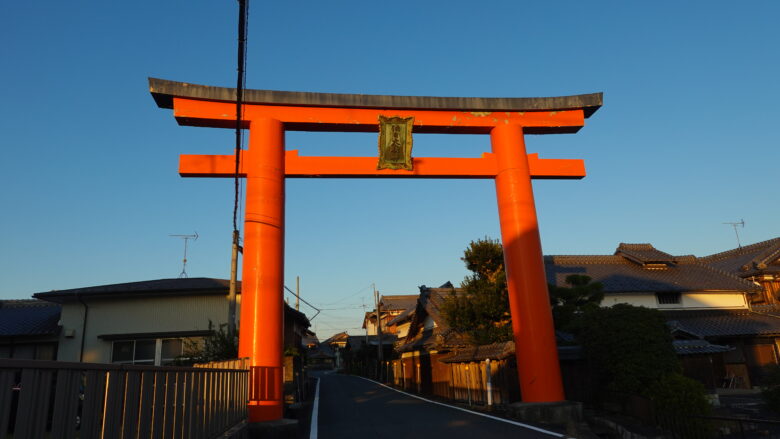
[564,414]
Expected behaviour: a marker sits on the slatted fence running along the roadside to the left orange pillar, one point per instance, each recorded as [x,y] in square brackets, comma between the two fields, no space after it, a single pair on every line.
[61,400]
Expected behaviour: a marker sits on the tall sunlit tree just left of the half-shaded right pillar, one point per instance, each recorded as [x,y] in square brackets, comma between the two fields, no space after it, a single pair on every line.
[482,313]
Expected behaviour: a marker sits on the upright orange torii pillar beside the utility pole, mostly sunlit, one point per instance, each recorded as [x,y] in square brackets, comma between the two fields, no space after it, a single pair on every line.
[262,313]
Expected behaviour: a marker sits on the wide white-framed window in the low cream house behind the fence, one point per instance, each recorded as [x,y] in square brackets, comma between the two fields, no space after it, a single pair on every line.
[150,352]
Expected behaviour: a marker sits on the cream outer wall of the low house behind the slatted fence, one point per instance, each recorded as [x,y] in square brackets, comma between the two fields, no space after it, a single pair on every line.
[134,315]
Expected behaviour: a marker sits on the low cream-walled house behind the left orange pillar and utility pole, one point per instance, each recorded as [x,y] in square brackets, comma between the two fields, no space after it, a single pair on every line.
[147,322]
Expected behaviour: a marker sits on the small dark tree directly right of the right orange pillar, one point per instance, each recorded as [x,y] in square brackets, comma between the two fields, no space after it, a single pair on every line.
[568,303]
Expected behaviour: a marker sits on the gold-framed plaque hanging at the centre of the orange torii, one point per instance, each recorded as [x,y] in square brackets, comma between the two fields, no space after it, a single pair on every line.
[395,143]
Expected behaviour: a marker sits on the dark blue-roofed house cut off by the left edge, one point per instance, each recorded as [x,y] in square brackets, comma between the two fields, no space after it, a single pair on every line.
[29,329]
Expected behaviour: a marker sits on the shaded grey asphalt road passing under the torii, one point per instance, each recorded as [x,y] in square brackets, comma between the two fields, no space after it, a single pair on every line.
[350,407]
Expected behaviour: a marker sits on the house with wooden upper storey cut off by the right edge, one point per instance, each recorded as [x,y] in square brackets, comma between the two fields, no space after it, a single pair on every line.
[759,262]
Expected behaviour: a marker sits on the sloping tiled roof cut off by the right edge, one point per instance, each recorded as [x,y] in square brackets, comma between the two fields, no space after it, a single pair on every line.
[761,257]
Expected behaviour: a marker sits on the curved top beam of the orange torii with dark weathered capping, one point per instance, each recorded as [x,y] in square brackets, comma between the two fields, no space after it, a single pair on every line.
[201,105]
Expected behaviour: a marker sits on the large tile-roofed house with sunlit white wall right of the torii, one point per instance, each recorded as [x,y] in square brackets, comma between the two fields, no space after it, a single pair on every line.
[706,307]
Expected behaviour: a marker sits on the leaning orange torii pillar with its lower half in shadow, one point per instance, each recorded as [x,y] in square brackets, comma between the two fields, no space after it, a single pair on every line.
[532,324]
